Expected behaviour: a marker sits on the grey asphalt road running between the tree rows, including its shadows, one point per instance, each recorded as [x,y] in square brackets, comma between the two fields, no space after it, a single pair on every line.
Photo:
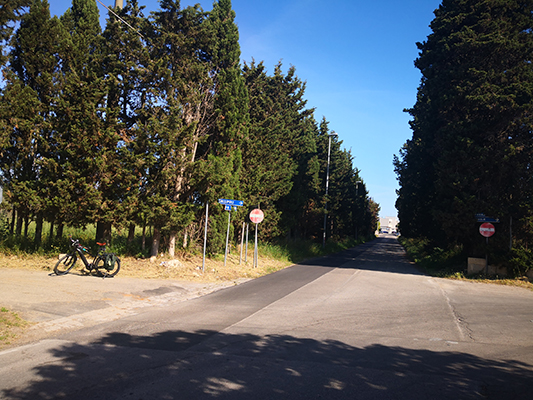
[363,324]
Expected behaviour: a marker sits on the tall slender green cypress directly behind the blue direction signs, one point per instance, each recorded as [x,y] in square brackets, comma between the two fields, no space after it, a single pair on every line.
[219,170]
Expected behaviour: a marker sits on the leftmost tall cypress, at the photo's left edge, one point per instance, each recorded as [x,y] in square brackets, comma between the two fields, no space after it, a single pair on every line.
[34,62]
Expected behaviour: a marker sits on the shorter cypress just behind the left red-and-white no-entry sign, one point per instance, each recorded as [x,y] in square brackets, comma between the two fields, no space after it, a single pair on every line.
[277,114]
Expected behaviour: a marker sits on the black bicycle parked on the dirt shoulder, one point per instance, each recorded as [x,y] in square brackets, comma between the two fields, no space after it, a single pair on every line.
[106,264]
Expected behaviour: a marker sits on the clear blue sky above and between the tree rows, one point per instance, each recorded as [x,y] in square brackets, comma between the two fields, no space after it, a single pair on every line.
[357,59]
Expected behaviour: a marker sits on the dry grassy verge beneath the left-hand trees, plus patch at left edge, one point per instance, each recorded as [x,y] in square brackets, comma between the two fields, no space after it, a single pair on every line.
[186,265]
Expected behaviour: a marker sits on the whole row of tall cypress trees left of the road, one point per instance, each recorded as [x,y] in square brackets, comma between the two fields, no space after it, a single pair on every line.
[145,122]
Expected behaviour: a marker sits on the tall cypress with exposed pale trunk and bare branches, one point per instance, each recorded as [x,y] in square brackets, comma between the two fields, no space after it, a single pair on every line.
[181,54]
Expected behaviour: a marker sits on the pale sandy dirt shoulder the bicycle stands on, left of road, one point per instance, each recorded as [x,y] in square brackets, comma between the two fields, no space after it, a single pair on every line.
[36,303]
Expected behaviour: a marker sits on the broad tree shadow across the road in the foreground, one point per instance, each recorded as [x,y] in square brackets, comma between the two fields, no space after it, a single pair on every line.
[209,365]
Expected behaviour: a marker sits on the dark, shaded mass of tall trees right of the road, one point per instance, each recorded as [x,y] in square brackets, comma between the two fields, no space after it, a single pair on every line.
[472,144]
